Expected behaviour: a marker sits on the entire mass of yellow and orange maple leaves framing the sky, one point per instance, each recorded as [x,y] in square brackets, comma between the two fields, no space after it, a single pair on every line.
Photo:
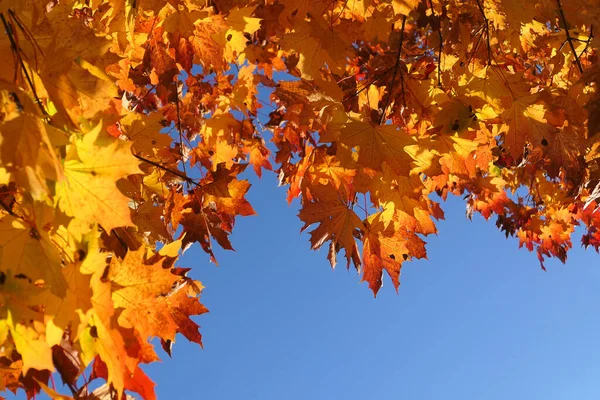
[125,124]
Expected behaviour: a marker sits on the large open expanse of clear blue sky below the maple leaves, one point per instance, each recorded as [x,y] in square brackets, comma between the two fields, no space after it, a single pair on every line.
[479,320]
